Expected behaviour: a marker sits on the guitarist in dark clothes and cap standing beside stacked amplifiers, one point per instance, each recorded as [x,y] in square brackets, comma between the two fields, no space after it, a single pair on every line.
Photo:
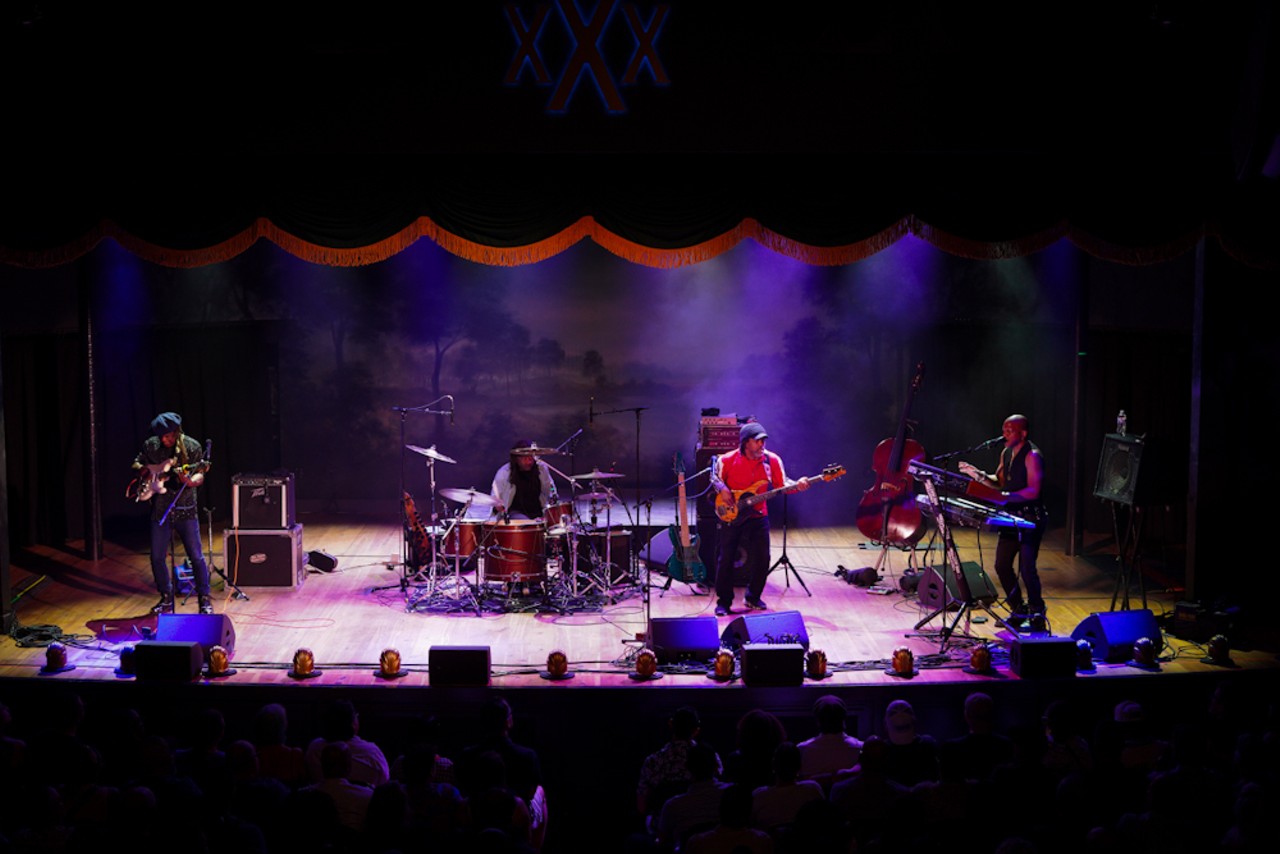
[168,444]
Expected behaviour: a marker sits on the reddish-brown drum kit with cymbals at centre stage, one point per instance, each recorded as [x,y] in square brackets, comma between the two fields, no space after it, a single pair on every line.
[478,560]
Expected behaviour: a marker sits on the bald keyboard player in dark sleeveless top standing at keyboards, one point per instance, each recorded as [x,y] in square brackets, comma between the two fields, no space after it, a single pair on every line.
[1018,477]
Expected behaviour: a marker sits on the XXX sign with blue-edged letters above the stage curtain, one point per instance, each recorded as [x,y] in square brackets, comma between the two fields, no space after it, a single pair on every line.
[588,39]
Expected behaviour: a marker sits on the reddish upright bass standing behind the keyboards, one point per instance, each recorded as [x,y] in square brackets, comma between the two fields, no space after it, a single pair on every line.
[888,513]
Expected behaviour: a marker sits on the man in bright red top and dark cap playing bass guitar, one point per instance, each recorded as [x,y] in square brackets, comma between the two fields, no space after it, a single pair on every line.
[744,469]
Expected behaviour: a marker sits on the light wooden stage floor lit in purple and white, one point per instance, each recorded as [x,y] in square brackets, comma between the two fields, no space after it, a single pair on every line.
[350,615]
